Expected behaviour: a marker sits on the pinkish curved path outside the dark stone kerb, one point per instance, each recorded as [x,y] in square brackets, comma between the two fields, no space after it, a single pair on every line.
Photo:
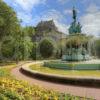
[69,89]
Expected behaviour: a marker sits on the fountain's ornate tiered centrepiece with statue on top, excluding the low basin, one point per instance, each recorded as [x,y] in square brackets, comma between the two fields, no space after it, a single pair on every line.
[77,48]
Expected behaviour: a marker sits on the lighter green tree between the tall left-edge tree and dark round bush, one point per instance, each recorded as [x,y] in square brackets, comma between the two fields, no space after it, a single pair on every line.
[23,46]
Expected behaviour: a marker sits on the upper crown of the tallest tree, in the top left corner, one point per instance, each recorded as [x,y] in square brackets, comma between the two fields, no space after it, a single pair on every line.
[9,24]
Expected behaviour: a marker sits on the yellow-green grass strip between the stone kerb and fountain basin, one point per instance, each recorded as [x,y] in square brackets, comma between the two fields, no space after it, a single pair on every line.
[90,73]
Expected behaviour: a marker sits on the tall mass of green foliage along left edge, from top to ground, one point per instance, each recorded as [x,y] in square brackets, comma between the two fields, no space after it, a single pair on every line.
[9,27]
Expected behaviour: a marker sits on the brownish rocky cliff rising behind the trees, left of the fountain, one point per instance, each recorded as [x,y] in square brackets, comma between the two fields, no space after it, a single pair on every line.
[47,29]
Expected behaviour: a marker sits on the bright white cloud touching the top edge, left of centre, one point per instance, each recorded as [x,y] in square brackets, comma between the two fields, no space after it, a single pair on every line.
[28,4]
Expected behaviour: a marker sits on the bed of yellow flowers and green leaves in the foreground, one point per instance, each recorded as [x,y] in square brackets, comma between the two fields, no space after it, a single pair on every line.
[11,89]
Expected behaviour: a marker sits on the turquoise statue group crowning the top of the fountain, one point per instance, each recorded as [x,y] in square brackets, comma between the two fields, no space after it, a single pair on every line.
[75,27]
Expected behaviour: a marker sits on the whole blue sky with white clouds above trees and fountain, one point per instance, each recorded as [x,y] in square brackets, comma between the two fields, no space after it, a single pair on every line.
[31,12]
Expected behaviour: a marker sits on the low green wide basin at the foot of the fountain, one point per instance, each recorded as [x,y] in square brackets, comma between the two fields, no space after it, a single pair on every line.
[84,65]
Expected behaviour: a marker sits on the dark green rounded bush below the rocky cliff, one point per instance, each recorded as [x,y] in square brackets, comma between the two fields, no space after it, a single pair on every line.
[46,48]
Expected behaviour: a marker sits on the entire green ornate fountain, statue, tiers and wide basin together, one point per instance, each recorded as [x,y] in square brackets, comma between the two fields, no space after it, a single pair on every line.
[77,55]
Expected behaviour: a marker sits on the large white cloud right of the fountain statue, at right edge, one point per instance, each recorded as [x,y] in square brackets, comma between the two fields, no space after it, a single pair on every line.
[91,21]
